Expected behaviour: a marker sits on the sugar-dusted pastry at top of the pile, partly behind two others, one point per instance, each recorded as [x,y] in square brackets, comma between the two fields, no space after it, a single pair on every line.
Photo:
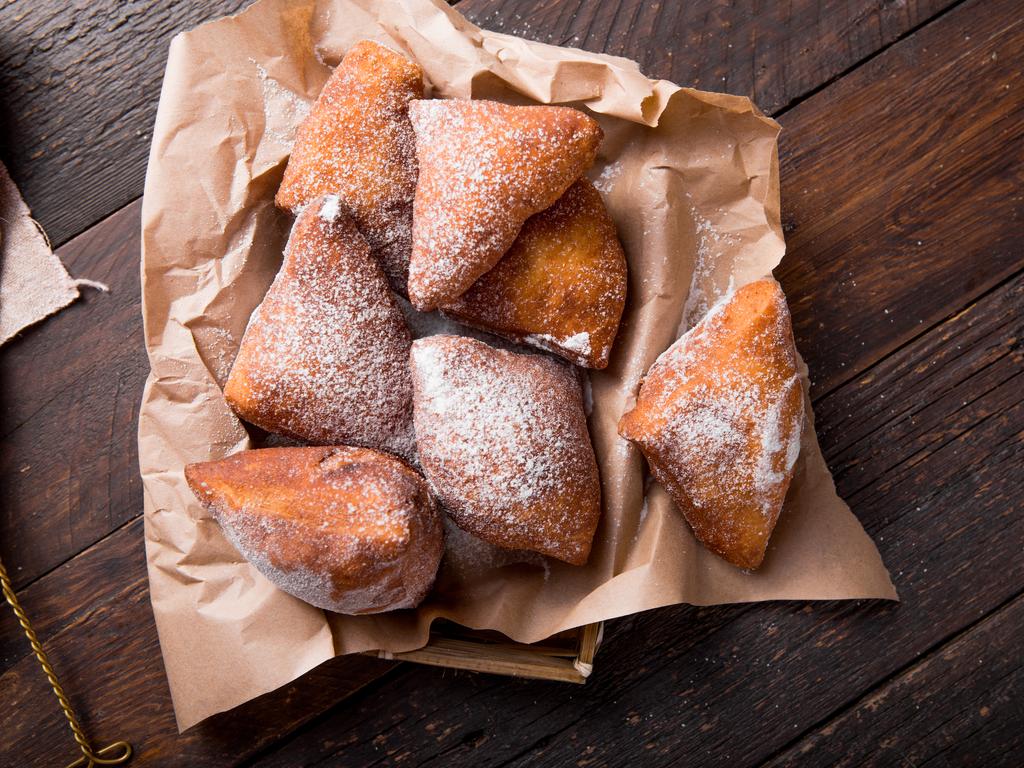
[358,144]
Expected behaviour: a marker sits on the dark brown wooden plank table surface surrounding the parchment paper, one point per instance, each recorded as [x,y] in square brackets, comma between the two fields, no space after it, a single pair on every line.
[903,162]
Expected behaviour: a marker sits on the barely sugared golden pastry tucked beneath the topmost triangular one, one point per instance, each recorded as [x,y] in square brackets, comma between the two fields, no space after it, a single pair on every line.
[562,287]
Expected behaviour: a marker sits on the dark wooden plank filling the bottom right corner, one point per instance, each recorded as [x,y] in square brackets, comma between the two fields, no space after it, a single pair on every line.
[914,721]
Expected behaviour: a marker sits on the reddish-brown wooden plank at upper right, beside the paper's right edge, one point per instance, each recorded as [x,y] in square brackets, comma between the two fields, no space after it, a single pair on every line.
[902,189]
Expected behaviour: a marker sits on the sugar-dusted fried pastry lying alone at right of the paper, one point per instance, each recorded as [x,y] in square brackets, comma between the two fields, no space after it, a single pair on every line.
[719,418]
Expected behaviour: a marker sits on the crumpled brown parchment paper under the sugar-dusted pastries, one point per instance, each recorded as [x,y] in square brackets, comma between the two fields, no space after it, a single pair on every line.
[692,181]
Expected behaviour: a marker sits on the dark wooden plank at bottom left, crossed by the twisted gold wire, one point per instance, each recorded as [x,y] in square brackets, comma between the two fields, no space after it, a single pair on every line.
[95,619]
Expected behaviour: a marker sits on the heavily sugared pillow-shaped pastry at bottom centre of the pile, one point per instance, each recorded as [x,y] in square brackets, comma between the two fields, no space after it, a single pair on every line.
[504,445]
